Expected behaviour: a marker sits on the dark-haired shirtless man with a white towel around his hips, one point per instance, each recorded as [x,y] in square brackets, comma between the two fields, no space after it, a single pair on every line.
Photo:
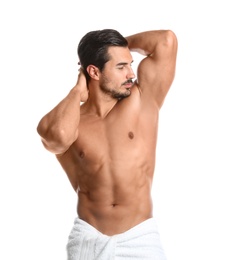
[104,135]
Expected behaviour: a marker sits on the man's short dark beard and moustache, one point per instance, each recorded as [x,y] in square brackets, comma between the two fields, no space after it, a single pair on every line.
[112,92]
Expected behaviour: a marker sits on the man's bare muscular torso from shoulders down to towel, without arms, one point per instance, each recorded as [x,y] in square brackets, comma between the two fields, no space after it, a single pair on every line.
[111,165]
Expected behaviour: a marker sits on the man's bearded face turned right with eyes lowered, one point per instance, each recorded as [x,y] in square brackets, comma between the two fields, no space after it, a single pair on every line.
[117,76]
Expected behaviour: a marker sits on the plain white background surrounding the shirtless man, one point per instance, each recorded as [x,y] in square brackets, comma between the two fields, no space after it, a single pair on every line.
[38,66]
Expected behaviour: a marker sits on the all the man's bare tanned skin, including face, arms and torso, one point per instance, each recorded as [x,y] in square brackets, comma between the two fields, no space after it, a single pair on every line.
[107,145]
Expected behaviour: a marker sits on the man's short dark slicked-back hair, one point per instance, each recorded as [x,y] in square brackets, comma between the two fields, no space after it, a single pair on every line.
[93,47]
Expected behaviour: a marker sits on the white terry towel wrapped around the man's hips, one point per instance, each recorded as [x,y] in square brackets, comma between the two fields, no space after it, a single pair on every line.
[140,242]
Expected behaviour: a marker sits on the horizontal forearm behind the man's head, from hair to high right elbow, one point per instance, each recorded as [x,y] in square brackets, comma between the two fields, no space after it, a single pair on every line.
[147,42]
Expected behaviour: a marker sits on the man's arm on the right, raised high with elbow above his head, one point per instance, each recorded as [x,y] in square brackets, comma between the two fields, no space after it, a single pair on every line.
[156,71]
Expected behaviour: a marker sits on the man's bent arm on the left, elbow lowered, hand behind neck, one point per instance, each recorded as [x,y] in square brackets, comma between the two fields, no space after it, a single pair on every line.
[59,128]
